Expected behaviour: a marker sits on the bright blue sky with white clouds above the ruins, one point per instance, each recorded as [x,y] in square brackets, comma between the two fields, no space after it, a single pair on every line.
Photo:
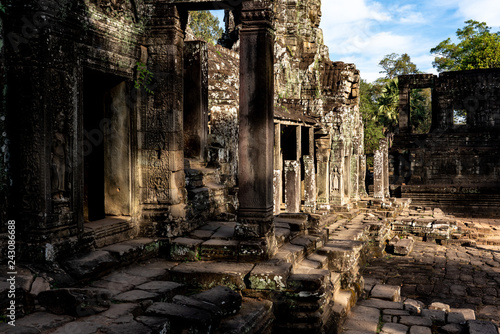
[364,31]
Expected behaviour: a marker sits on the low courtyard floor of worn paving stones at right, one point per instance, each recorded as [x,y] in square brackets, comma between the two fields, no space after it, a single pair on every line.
[462,277]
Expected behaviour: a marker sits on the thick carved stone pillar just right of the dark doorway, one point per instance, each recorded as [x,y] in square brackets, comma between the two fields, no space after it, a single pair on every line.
[161,137]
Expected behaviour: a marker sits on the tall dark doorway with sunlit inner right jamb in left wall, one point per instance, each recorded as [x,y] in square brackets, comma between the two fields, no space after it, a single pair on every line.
[106,146]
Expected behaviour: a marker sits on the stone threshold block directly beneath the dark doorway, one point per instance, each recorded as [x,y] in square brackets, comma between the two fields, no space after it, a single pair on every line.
[110,230]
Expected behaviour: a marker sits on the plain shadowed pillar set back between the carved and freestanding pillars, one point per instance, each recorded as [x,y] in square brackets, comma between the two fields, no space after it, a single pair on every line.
[195,99]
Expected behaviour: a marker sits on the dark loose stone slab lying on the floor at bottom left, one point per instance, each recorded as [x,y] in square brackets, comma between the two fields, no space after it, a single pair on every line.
[75,302]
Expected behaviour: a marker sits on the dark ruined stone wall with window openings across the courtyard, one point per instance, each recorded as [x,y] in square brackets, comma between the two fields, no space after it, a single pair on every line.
[455,166]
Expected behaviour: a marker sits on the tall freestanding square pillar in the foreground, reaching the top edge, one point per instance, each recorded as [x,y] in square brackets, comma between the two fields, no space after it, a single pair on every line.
[256,130]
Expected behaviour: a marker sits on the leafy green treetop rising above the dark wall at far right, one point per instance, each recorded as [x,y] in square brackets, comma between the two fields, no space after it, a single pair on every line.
[478,48]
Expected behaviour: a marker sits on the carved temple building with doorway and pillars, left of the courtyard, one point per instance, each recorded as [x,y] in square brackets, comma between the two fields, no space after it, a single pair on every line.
[115,121]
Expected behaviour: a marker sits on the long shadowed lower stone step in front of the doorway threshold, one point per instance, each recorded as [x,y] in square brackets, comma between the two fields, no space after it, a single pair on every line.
[99,262]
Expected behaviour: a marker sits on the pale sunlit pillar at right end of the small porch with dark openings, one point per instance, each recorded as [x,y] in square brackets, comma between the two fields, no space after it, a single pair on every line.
[323,145]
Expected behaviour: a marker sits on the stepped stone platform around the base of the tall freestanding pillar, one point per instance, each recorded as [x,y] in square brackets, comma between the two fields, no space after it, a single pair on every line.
[313,280]
